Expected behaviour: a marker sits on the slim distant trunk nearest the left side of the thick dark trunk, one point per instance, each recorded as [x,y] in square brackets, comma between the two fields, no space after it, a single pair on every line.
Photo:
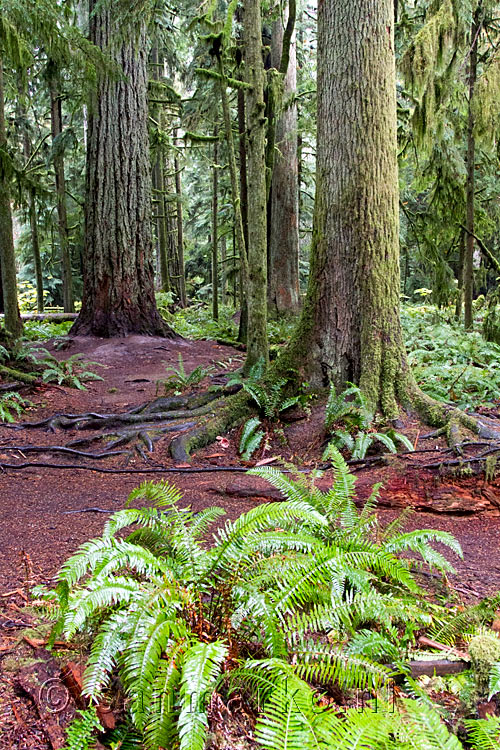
[58,161]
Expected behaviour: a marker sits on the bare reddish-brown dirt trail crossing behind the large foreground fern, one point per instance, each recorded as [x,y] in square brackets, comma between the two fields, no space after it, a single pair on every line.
[35,502]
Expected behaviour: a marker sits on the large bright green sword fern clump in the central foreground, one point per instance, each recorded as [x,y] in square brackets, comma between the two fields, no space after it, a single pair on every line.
[300,583]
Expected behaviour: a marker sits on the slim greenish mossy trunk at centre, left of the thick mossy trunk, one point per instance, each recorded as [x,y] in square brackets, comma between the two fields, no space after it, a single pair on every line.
[257,344]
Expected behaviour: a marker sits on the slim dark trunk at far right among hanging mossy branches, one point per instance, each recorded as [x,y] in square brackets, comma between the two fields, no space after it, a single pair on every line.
[471,166]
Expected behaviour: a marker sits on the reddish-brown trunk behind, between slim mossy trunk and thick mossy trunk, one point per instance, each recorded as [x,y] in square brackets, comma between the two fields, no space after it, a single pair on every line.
[283,250]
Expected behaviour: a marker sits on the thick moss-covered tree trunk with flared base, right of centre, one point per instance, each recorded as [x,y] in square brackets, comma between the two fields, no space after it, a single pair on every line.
[350,327]
